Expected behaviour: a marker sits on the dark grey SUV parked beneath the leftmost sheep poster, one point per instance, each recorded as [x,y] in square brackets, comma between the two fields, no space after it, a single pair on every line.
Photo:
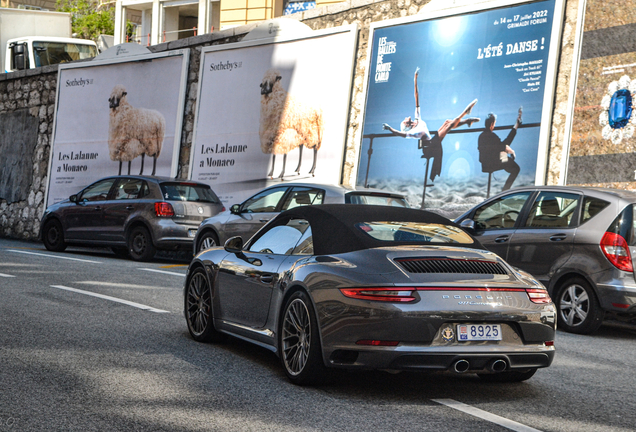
[134,215]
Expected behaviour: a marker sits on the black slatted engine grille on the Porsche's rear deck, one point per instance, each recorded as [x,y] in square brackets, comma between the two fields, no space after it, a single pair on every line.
[446,265]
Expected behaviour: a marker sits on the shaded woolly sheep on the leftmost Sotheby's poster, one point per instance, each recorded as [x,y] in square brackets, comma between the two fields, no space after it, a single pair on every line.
[133,132]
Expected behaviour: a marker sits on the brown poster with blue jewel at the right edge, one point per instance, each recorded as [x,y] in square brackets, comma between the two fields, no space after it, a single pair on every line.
[603,140]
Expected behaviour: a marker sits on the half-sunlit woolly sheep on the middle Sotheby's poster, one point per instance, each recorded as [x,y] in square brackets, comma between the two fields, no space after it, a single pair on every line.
[286,123]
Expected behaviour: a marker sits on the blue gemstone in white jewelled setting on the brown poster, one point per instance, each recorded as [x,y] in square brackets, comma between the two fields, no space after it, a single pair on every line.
[617,118]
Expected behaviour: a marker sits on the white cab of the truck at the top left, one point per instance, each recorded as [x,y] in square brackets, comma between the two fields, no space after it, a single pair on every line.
[35,51]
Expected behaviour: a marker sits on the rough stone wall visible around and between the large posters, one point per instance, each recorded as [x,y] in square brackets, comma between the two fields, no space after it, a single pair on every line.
[35,91]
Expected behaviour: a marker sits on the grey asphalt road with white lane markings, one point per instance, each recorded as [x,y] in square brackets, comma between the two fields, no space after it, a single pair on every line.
[71,361]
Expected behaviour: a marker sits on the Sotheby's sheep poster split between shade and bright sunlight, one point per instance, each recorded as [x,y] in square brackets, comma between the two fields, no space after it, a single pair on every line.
[273,110]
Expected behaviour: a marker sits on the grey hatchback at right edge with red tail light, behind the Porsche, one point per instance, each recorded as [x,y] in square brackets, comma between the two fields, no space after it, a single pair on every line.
[580,242]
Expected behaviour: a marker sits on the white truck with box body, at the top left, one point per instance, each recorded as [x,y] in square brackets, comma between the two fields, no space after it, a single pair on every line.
[31,39]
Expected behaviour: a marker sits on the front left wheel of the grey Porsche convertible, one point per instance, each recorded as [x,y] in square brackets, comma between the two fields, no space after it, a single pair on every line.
[198,308]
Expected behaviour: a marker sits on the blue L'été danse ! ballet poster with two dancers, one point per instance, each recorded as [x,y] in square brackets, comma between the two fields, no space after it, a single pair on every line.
[458,69]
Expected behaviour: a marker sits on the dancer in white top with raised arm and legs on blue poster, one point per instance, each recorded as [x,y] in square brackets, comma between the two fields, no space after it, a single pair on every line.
[416,128]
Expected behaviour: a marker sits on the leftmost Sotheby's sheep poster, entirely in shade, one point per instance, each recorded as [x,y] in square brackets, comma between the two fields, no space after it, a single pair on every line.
[113,114]
